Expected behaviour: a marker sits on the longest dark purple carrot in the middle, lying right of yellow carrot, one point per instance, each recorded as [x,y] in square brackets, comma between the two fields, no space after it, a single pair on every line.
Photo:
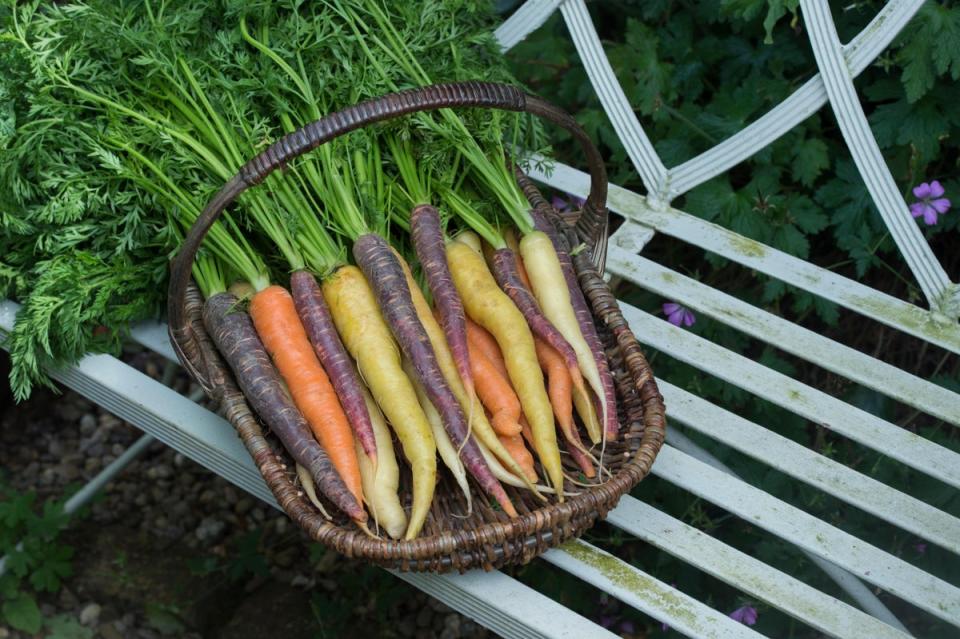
[389,284]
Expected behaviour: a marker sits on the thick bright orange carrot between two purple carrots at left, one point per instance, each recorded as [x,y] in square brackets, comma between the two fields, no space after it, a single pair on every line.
[284,337]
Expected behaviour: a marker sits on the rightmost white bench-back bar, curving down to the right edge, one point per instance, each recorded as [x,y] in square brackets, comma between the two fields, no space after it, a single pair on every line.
[863,146]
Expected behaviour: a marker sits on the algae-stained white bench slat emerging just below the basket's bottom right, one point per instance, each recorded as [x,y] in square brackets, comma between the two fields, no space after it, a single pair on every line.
[645,593]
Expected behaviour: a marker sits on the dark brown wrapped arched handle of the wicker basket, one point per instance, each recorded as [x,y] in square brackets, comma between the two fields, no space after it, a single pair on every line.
[430,98]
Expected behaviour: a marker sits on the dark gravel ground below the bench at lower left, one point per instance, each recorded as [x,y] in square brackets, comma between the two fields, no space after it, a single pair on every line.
[170,549]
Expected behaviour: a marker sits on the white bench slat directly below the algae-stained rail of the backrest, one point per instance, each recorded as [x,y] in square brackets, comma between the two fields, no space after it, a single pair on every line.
[783,334]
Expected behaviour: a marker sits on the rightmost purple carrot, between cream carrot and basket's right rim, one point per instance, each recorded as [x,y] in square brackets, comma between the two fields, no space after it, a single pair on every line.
[582,311]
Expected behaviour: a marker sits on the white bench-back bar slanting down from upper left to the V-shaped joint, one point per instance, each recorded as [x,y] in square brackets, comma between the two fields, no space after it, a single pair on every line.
[624,121]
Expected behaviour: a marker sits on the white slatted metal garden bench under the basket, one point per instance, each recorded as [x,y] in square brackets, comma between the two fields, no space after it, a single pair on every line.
[515,610]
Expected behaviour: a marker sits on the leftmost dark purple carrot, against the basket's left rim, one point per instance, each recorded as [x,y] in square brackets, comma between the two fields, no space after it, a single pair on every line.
[237,340]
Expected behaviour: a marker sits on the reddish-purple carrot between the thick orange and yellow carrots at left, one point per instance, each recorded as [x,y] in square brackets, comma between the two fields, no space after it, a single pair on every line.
[315,315]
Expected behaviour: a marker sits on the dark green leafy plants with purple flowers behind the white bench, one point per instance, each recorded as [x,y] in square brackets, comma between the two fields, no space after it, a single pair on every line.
[695,74]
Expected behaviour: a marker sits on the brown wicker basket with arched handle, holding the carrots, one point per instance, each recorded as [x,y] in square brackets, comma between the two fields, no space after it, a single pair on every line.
[448,541]
